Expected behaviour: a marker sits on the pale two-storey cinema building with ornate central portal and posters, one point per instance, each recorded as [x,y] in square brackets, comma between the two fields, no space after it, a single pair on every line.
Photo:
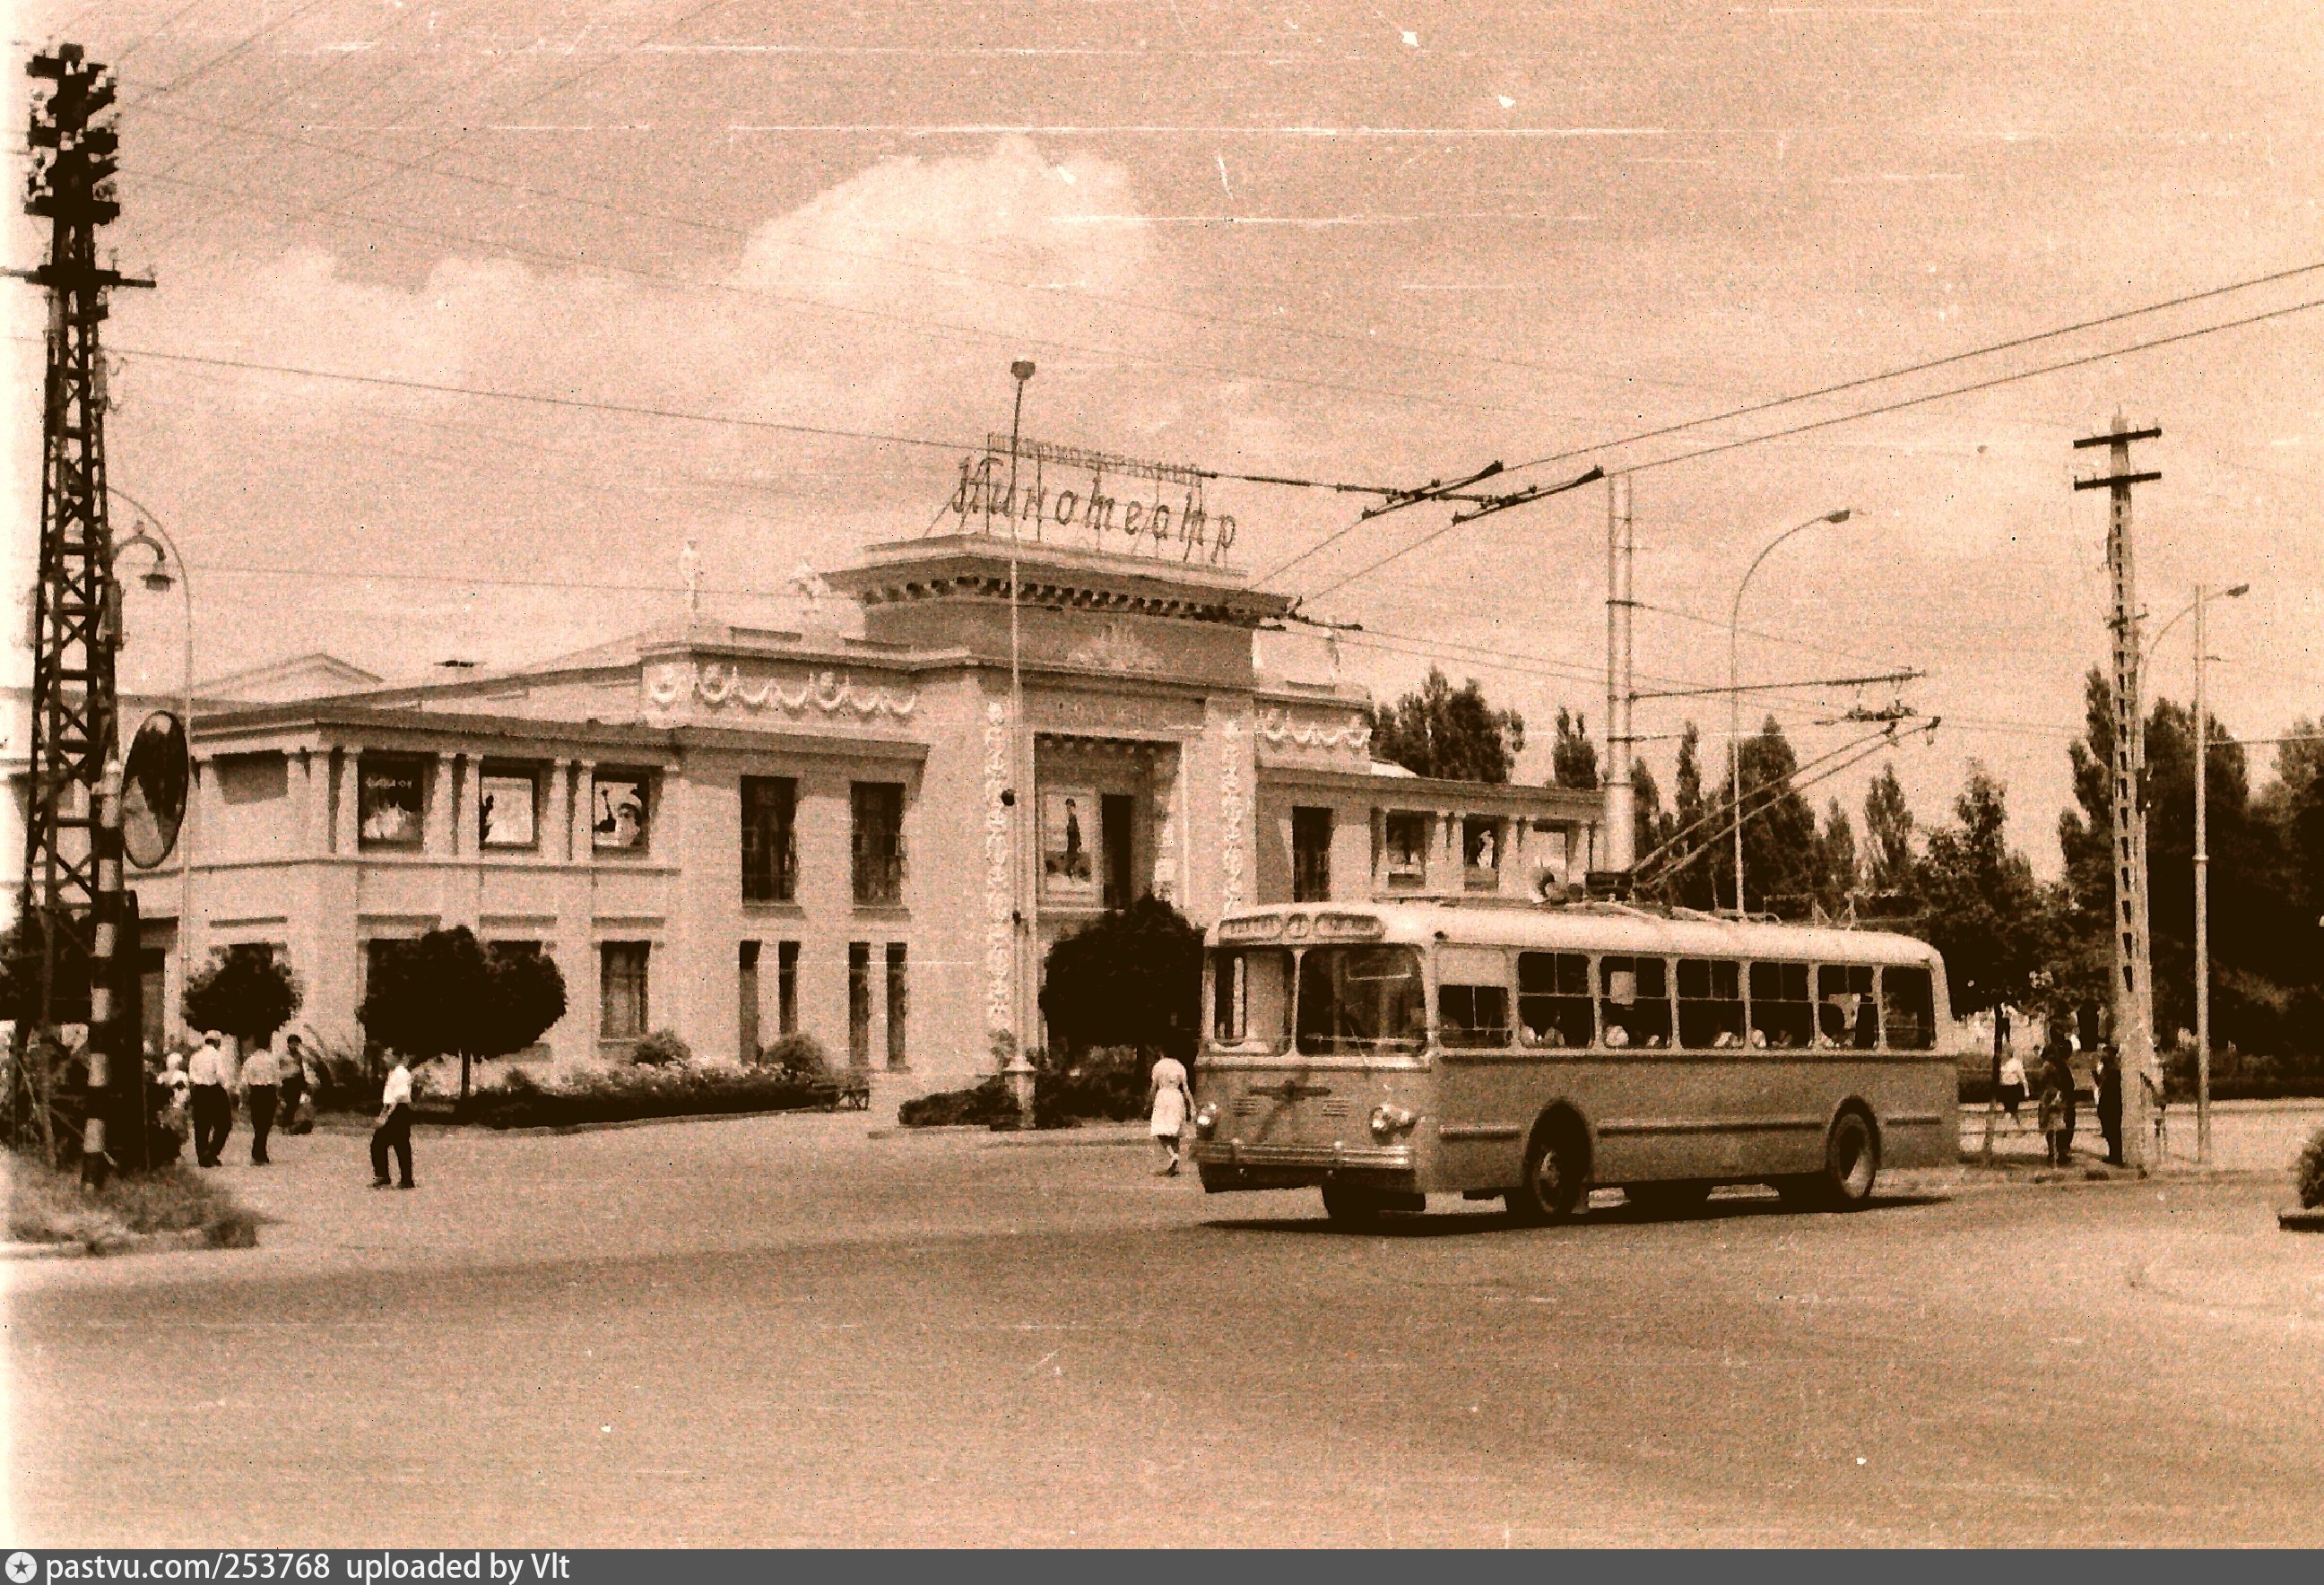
[733,833]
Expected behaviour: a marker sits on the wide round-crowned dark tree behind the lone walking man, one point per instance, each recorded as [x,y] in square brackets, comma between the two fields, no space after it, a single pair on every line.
[445,994]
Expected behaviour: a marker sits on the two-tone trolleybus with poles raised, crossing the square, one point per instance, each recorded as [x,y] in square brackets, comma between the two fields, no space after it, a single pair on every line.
[1449,1047]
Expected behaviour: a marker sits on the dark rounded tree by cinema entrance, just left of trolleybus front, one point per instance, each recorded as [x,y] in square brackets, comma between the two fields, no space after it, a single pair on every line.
[1131,977]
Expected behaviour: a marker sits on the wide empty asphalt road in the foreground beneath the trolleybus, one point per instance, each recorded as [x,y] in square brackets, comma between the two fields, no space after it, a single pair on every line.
[787,1333]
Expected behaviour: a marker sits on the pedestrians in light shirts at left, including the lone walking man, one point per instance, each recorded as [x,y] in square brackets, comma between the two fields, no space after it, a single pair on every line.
[203,1091]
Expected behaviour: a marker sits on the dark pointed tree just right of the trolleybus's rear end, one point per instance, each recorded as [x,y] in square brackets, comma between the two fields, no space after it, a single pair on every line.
[1981,905]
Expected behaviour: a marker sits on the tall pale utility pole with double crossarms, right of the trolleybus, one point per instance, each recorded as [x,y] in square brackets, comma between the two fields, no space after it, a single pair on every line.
[2132,942]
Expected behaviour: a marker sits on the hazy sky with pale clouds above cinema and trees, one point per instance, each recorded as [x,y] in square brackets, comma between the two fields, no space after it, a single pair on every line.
[1354,243]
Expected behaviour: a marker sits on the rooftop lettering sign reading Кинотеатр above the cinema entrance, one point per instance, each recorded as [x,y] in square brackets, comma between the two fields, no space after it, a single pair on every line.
[1091,499]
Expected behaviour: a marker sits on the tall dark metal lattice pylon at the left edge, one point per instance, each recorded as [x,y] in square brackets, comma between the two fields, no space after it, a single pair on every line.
[73,898]
